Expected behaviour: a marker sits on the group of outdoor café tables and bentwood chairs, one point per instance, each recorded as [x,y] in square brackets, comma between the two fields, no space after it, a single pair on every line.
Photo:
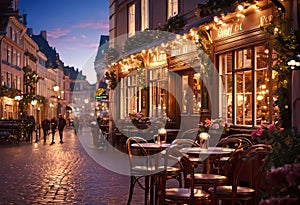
[187,171]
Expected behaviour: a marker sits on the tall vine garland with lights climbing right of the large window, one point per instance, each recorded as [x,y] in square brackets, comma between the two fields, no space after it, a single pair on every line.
[285,43]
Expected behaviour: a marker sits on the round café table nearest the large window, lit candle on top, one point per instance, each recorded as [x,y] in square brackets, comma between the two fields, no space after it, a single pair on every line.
[203,154]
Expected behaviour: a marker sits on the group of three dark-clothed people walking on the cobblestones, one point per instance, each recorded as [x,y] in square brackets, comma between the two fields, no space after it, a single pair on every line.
[55,124]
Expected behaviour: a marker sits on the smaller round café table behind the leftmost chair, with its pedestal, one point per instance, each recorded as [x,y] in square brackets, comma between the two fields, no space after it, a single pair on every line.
[153,149]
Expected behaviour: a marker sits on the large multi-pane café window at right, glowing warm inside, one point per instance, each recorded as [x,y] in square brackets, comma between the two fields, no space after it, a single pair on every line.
[248,83]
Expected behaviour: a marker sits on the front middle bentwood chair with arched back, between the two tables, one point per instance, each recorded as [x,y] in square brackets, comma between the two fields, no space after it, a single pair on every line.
[187,194]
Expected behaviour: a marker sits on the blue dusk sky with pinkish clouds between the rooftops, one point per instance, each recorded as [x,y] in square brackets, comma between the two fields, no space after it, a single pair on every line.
[73,28]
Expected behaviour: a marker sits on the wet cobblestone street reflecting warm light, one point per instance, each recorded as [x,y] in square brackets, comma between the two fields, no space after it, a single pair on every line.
[38,173]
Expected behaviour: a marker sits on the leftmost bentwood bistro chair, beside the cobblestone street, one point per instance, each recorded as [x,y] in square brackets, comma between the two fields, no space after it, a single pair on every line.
[141,167]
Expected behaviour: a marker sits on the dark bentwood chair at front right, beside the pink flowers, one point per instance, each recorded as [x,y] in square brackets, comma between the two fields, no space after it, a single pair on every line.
[248,168]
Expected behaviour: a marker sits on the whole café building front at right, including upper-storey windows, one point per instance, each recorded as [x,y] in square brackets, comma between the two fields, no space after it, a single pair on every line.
[241,85]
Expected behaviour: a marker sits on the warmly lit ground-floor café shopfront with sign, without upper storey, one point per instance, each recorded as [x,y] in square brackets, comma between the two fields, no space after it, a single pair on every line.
[165,79]
